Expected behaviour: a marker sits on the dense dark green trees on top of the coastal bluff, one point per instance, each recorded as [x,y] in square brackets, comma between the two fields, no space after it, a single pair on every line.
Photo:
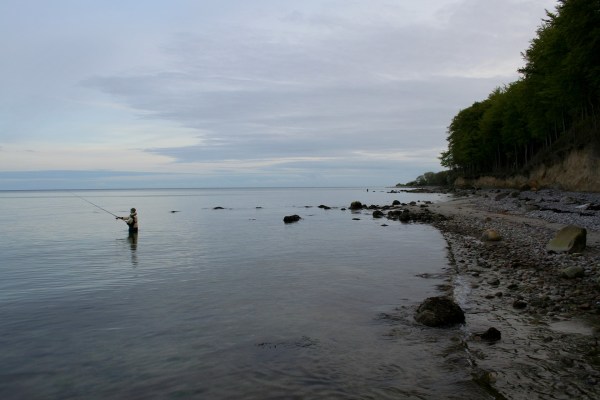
[556,98]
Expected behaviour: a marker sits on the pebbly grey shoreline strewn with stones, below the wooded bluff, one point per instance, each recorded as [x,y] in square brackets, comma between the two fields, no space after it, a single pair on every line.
[550,324]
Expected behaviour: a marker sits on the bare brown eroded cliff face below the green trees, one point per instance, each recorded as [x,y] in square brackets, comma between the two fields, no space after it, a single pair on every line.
[579,171]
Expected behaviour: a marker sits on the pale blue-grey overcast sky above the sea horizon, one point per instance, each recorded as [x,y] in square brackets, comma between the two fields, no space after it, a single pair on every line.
[244,93]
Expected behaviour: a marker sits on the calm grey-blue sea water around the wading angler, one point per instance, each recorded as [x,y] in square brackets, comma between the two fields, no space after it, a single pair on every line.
[224,303]
